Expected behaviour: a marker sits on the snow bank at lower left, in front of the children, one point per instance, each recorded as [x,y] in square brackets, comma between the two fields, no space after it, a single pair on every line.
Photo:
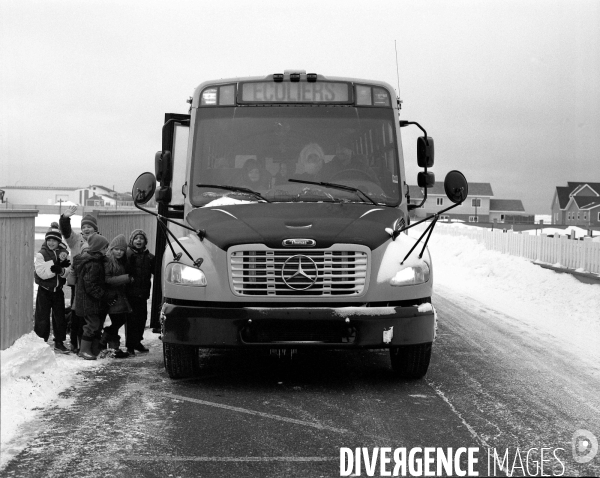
[32,378]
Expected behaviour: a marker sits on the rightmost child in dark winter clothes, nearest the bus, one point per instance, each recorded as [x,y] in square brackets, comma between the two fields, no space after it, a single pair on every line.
[140,264]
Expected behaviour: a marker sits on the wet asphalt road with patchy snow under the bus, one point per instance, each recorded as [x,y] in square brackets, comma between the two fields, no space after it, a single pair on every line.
[490,385]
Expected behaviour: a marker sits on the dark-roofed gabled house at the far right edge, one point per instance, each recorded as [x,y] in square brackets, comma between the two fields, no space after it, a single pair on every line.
[577,204]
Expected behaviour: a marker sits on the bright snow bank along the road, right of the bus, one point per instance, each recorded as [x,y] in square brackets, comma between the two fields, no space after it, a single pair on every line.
[556,308]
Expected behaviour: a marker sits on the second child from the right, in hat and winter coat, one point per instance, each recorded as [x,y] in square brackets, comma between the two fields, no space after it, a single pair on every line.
[116,279]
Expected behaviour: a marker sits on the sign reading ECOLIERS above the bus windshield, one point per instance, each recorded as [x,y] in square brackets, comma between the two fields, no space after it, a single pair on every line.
[300,92]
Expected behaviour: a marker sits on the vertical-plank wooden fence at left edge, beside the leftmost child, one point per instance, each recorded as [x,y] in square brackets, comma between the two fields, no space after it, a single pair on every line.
[17,234]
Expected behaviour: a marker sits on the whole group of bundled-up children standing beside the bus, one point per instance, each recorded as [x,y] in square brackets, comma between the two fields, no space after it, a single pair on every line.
[106,278]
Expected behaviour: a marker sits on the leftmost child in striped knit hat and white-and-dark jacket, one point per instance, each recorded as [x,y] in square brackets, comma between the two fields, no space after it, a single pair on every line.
[50,273]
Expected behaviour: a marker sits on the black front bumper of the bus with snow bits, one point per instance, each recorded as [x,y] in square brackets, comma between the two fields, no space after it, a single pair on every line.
[281,327]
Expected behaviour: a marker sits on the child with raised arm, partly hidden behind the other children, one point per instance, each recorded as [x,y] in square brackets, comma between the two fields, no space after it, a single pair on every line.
[77,242]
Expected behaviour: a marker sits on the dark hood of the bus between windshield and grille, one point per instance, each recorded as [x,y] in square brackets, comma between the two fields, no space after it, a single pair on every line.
[270,224]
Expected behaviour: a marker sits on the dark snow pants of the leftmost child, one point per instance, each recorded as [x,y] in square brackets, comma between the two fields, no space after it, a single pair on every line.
[49,304]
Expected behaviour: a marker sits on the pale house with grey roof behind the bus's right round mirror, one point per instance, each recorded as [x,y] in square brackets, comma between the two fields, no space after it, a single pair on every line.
[475,209]
